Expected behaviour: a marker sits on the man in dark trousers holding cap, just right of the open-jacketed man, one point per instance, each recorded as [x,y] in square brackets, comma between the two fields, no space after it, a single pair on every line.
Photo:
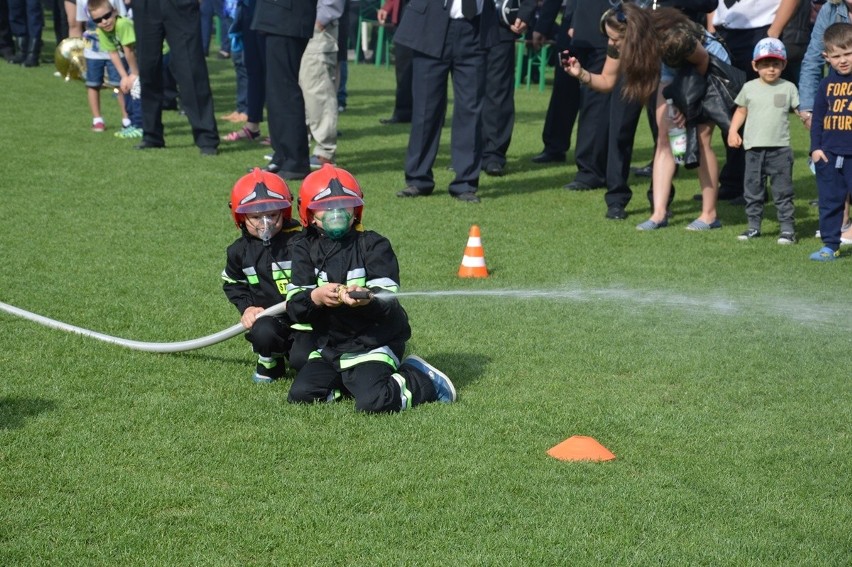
[498,108]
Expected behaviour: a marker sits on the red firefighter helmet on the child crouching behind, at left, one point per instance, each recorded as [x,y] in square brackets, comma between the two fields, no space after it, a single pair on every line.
[258,192]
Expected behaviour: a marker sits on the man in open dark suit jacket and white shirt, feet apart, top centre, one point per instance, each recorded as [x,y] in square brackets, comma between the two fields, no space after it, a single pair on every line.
[447,36]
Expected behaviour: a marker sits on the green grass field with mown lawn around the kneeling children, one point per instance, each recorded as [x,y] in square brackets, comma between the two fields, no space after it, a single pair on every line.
[715,370]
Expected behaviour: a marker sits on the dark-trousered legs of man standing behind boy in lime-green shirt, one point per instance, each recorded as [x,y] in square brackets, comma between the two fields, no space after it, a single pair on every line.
[179,23]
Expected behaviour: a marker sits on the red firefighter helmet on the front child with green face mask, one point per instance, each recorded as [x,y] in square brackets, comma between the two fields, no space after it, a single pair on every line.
[329,188]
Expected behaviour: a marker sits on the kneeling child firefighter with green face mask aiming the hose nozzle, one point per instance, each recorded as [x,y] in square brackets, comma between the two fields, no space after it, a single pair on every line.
[343,285]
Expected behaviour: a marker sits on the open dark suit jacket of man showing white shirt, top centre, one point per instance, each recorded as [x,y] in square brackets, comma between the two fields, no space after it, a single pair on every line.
[425,22]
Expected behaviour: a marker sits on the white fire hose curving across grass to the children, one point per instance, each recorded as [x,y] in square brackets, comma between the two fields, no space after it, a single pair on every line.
[139,345]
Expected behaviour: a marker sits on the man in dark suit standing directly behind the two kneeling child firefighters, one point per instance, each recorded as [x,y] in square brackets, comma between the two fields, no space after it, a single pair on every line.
[287,25]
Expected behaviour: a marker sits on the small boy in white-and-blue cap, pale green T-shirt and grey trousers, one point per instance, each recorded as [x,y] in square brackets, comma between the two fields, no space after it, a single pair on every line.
[763,105]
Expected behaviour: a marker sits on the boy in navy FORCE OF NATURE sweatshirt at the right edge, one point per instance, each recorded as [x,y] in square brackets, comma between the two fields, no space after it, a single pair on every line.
[831,138]
